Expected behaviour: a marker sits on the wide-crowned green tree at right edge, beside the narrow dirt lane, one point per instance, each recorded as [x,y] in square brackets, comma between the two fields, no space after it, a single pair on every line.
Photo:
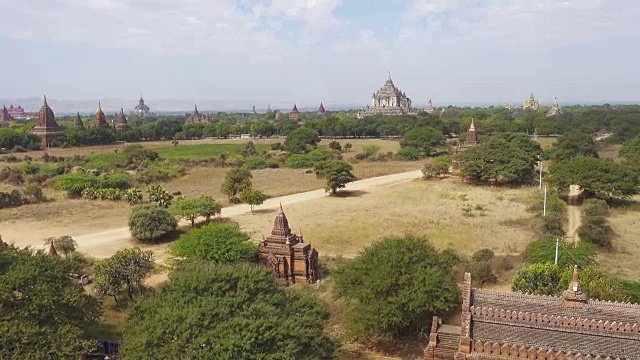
[603,178]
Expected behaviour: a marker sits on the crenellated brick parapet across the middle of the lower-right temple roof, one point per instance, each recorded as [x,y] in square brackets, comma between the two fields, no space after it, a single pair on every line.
[570,323]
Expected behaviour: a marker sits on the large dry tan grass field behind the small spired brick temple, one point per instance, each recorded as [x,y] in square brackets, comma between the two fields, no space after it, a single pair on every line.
[344,225]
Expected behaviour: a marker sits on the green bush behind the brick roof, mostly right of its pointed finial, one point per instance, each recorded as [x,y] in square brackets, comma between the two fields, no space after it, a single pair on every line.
[596,284]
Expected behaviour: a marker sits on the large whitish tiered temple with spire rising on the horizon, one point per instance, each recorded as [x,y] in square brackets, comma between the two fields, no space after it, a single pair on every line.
[388,100]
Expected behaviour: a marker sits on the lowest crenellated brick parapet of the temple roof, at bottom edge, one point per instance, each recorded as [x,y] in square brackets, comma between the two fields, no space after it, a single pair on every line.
[522,352]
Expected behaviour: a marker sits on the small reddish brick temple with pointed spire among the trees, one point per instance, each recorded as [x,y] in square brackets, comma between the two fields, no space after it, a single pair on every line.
[287,254]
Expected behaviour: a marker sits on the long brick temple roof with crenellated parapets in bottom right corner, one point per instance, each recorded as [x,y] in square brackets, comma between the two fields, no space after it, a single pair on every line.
[502,325]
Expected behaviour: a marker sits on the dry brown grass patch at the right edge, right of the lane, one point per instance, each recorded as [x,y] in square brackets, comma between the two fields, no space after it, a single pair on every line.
[623,259]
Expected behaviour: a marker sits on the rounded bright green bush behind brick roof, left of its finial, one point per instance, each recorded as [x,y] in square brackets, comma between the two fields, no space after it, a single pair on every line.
[538,279]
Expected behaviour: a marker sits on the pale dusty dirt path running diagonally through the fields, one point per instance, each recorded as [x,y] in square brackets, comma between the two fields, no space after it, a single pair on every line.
[104,244]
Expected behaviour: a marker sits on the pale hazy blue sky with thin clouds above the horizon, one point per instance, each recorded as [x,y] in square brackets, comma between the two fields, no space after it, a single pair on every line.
[452,51]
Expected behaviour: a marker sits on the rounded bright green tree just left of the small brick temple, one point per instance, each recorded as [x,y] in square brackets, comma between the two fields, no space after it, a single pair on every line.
[219,242]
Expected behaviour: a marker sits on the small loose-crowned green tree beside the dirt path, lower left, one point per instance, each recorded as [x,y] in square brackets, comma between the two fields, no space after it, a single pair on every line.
[126,269]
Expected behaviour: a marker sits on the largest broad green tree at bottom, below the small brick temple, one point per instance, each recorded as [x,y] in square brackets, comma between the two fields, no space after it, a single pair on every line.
[209,311]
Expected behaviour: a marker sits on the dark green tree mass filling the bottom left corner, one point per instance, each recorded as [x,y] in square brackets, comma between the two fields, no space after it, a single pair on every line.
[44,313]
